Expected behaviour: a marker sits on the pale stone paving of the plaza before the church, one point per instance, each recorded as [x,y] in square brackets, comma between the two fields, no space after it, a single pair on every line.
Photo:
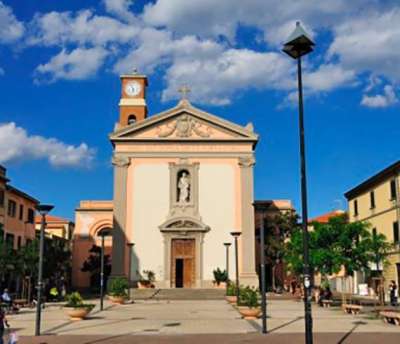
[156,321]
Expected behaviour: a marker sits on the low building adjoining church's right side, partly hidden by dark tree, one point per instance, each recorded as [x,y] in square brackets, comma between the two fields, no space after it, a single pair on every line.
[276,274]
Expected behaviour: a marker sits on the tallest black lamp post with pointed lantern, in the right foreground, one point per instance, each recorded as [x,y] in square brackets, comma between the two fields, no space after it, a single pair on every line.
[300,44]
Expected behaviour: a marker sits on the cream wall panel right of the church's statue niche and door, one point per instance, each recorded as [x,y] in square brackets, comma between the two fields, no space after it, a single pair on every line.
[217,209]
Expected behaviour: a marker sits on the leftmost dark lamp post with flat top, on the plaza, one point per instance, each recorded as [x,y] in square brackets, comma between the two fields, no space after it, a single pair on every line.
[43,210]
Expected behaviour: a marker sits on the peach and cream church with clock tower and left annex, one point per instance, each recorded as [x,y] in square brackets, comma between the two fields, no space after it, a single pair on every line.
[183,181]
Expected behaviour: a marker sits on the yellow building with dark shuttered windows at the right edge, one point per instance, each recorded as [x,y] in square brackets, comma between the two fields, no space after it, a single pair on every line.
[377,201]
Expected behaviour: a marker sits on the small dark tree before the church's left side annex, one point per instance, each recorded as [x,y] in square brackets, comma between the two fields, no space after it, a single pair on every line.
[93,265]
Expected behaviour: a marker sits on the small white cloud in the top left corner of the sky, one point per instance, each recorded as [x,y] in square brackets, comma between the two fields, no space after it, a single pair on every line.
[10,28]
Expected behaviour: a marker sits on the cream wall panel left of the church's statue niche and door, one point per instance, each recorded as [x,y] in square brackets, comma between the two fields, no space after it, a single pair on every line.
[150,209]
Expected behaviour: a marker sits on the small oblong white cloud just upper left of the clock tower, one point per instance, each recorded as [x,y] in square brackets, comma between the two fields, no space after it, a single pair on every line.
[75,65]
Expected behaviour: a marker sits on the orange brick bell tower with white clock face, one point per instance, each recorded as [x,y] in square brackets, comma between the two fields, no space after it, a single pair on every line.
[132,105]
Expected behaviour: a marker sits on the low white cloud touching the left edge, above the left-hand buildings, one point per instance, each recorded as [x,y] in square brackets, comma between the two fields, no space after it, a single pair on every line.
[17,145]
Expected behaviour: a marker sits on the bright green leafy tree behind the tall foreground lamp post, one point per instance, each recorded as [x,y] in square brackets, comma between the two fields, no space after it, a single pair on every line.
[337,244]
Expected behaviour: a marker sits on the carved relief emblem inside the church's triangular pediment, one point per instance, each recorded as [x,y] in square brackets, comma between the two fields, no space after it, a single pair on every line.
[185,126]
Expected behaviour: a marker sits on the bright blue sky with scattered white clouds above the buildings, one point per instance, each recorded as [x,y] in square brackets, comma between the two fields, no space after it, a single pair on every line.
[59,87]
